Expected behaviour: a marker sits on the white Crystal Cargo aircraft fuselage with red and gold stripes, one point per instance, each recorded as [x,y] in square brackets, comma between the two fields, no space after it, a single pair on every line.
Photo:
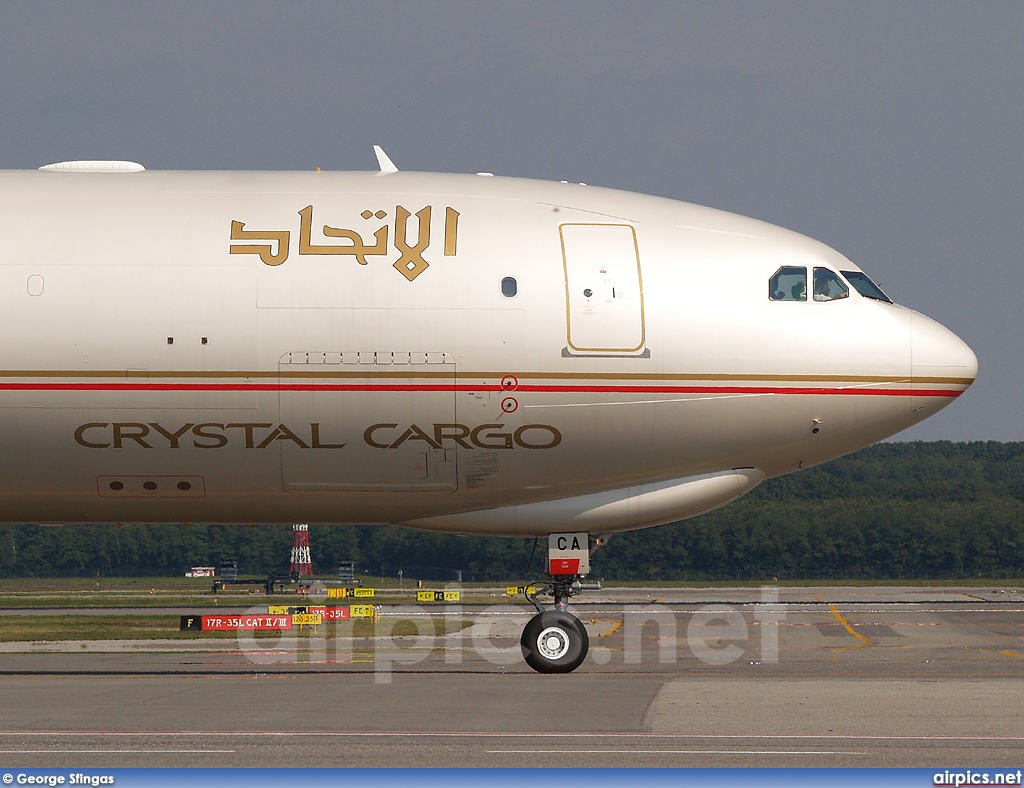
[462,354]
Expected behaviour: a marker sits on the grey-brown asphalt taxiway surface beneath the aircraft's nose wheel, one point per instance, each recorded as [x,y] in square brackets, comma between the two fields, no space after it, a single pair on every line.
[694,678]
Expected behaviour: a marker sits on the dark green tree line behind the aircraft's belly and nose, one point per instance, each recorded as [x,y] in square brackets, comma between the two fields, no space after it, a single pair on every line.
[894,511]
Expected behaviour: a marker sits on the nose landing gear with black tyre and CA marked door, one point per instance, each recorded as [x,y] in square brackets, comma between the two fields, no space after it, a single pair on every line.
[556,641]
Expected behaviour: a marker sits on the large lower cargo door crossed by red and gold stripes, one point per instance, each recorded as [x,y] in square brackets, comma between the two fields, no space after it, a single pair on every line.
[368,421]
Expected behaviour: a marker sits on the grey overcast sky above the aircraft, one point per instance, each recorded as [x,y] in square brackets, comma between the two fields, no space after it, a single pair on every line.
[890,132]
